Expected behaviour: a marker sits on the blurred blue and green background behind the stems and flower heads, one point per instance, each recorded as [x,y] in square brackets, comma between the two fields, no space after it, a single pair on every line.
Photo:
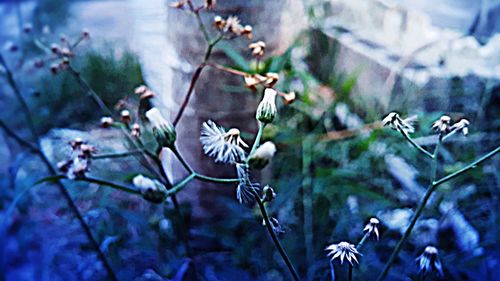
[350,62]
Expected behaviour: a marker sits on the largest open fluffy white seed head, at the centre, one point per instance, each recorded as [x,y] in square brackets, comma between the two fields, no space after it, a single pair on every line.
[225,147]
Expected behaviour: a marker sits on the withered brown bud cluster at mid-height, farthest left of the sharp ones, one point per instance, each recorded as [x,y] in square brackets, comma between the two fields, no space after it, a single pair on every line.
[79,162]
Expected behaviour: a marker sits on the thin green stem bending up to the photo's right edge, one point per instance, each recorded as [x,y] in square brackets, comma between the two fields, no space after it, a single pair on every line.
[424,201]
